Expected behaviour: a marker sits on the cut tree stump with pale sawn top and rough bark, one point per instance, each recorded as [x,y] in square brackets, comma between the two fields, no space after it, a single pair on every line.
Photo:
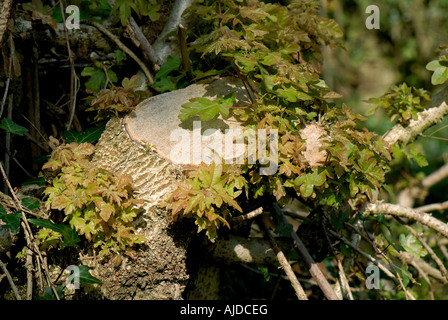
[139,145]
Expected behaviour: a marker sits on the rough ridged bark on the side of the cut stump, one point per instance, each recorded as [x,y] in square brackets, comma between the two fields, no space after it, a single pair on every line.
[157,269]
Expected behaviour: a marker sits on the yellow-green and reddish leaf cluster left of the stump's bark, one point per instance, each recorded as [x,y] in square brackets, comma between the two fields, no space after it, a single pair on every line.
[95,202]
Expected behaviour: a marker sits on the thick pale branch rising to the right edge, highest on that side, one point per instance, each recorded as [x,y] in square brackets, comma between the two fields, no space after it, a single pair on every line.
[426,119]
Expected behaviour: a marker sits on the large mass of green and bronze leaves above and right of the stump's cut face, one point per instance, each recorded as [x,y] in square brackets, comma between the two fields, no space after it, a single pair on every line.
[276,52]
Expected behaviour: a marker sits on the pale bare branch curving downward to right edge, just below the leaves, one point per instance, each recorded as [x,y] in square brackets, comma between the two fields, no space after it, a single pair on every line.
[400,211]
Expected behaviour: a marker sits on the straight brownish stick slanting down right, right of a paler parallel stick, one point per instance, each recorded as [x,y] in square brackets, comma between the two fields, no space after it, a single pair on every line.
[313,268]
